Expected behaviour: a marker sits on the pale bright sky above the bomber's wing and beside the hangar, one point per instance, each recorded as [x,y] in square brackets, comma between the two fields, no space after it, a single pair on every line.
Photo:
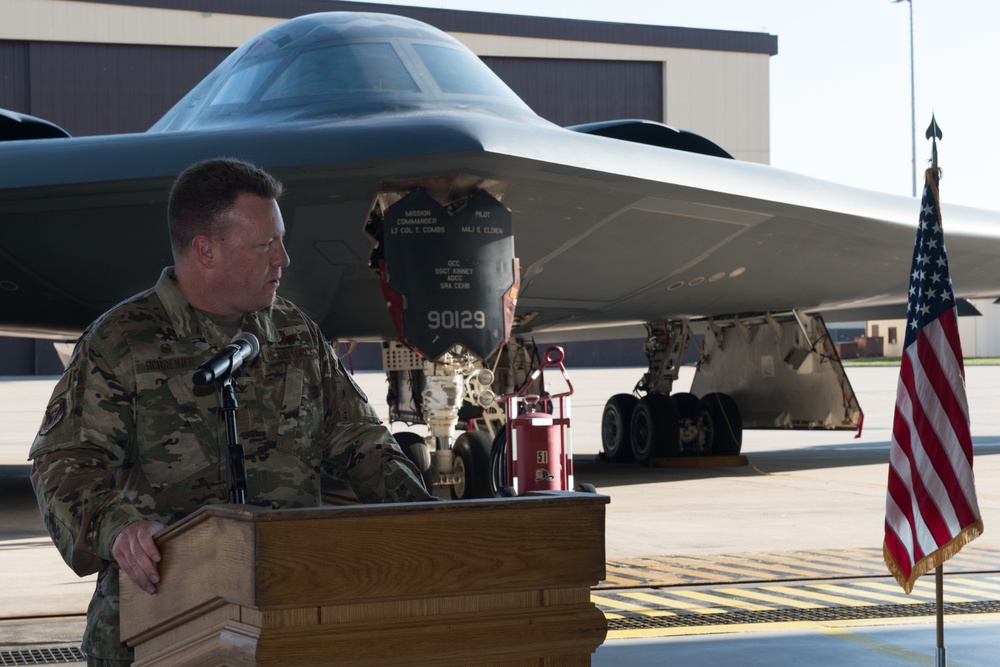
[840,84]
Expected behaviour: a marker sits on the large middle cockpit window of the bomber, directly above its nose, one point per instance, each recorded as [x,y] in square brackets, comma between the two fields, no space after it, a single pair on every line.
[345,68]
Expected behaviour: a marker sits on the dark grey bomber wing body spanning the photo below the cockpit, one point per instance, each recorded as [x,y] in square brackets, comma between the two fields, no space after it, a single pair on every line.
[606,231]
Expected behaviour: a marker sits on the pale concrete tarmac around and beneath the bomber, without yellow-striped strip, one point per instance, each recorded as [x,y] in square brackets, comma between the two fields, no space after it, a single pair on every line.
[802,491]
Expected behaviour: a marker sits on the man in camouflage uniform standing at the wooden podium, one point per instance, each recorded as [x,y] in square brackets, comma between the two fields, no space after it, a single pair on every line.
[129,444]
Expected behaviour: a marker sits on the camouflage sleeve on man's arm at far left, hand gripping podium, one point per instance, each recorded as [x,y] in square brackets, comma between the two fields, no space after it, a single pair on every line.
[78,457]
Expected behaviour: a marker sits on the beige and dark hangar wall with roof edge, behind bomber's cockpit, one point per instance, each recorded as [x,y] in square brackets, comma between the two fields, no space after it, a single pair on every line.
[716,84]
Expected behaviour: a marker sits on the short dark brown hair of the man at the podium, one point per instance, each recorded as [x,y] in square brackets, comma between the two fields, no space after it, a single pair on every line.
[205,192]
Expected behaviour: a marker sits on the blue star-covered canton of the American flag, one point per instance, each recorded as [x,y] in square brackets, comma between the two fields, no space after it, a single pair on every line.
[931,292]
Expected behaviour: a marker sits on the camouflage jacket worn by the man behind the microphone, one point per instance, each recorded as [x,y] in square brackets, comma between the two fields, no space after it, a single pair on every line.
[127,436]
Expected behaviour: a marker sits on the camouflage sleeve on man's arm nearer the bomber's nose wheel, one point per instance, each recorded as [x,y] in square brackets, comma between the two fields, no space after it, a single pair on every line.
[359,448]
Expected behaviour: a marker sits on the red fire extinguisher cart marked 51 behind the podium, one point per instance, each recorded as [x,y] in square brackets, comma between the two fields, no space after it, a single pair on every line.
[534,451]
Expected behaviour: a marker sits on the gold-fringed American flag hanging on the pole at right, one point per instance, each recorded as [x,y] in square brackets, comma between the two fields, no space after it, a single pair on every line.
[931,510]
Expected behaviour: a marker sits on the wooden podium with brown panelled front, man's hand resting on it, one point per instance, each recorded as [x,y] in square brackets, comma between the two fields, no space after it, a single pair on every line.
[499,582]
